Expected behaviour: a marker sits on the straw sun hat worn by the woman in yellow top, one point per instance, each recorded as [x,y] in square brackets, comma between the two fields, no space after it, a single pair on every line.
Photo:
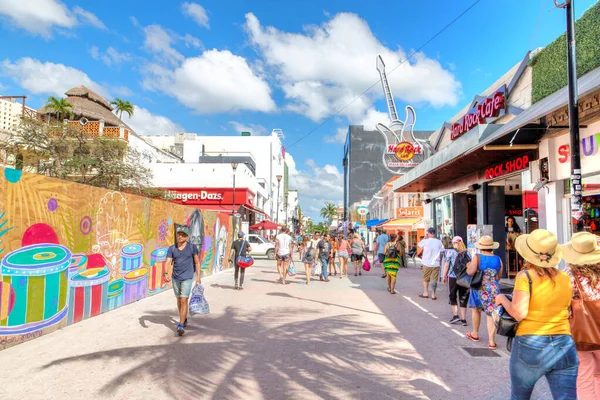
[540,248]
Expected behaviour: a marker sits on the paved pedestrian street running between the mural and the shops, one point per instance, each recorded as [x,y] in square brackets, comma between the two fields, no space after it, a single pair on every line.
[346,339]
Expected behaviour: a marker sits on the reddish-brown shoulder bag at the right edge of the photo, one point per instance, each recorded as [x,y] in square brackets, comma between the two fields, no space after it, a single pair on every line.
[585,321]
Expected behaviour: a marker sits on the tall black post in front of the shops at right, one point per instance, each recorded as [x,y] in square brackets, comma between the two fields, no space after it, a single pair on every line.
[576,185]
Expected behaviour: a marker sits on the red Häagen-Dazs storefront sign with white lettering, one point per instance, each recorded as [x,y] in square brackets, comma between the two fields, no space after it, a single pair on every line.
[209,196]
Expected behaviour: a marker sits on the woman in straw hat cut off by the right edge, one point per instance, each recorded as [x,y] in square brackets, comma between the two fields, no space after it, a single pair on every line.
[583,255]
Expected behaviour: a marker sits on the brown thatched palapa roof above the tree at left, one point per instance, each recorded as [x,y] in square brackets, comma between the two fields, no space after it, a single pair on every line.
[88,104]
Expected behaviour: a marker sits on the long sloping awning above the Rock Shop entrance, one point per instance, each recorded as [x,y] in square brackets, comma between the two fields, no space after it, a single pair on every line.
[466,155]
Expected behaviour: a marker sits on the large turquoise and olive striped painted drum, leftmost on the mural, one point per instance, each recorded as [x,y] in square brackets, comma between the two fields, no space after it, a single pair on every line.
[36,278]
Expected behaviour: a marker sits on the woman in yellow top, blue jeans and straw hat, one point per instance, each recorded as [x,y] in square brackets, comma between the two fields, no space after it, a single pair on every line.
[543,345]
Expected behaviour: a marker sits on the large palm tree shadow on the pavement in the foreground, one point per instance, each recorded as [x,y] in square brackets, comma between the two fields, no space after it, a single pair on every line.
[234,354]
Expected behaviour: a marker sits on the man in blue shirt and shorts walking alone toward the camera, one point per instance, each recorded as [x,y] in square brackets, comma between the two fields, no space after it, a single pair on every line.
[183,257]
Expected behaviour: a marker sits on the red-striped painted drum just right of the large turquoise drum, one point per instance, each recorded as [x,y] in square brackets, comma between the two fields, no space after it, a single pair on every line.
[88,294]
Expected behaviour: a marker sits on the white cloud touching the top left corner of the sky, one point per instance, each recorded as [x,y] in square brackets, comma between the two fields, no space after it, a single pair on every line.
[38,16]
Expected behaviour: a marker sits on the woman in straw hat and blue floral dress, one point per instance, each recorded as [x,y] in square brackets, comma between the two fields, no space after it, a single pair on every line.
[483,298]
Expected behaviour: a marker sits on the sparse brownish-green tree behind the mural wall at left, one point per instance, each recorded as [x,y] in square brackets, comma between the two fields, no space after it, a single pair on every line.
[67,153]
